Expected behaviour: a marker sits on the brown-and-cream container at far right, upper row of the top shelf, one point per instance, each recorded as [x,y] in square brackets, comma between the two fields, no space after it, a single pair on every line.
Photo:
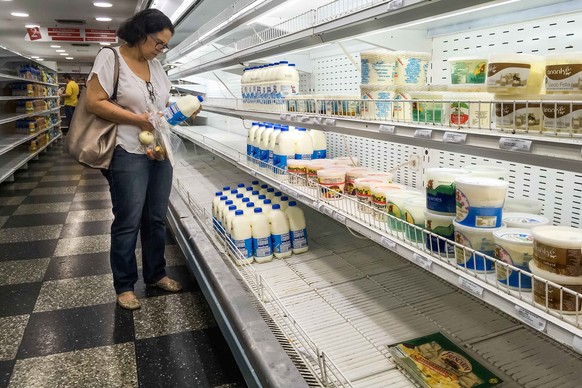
[564,73]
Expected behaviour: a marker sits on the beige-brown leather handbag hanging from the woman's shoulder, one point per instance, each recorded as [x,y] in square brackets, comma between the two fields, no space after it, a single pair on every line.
[91,140]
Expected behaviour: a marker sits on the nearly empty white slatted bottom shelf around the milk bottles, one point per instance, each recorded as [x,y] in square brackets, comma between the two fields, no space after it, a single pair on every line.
[367,297]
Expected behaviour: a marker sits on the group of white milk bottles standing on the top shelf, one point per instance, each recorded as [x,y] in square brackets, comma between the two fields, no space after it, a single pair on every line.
[268,85]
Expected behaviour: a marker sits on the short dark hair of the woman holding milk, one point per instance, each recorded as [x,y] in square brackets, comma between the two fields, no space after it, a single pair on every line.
[137,28]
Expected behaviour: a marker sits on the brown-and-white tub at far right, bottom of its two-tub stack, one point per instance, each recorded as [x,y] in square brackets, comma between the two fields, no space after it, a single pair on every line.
[556,298]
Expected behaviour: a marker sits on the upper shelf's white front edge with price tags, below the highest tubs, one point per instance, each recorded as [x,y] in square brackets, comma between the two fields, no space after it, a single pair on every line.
[547,151]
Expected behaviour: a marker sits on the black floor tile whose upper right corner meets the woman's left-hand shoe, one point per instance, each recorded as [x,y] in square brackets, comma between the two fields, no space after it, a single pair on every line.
[75,329]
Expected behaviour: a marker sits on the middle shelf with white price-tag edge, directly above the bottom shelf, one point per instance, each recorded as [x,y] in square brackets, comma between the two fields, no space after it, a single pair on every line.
[566,329]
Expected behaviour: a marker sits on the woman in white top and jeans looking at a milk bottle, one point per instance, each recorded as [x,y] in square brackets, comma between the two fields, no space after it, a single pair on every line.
[139,187]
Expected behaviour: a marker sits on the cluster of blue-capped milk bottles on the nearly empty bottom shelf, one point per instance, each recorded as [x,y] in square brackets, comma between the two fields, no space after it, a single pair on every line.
[259,222]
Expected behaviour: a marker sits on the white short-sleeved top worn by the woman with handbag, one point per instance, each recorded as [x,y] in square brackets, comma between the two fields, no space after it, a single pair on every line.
[132,92]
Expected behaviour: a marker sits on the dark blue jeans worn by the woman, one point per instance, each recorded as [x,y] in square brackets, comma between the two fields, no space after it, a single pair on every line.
[140,191]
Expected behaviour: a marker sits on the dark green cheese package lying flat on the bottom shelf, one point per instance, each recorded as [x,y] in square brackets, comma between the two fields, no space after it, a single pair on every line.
[435,361]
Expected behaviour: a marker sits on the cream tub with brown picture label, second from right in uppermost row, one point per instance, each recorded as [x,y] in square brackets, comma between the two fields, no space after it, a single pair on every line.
[515,73]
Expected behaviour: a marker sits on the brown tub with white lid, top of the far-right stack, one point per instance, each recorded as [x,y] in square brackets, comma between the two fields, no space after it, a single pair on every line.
[557,249]
